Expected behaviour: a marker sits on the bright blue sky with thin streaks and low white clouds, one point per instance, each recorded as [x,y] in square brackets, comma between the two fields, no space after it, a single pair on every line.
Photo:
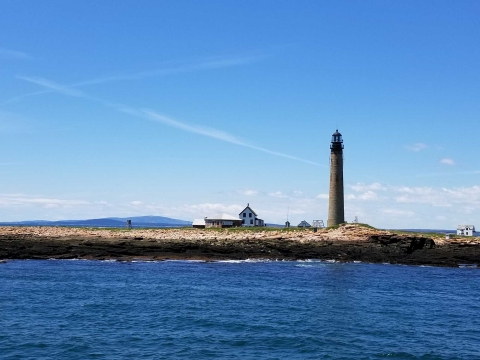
[191,108]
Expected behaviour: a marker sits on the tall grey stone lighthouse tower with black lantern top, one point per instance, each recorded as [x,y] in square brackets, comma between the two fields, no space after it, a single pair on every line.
[336,214]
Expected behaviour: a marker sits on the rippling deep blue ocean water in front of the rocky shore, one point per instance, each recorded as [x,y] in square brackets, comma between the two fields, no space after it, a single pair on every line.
[237,310]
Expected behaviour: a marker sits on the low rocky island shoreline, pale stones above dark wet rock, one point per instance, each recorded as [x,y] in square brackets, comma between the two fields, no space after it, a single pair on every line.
[347,243]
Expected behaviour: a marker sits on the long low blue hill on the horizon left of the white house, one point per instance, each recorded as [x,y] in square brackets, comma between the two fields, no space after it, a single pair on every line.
[137,221]
